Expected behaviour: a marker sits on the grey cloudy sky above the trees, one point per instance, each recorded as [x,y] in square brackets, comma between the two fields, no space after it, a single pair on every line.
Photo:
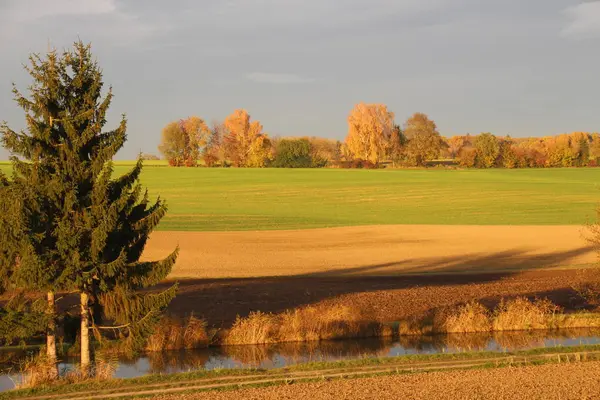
[524,68]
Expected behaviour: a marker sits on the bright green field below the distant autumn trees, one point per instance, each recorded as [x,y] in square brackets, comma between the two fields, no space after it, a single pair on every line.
[203,199]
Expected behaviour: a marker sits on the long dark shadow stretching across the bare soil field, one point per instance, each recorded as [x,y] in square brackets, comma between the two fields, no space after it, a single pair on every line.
[221,300]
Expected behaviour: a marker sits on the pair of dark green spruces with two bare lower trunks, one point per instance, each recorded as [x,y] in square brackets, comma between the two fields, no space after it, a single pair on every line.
[67,226]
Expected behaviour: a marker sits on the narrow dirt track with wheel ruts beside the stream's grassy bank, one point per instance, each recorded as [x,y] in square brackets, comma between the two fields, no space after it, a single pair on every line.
[283,377]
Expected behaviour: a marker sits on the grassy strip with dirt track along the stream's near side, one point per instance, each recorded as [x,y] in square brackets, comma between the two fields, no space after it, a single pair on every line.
[231,379]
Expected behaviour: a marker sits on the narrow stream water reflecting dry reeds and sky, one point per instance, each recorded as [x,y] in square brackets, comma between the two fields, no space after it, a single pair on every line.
[284,354]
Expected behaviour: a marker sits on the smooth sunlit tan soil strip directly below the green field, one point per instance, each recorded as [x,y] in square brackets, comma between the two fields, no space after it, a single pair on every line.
[373,250]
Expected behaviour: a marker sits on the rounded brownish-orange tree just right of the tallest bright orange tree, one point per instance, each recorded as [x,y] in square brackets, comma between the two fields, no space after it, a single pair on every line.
[424,140]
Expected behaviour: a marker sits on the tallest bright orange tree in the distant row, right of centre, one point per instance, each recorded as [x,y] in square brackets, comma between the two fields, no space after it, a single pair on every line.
[370,131]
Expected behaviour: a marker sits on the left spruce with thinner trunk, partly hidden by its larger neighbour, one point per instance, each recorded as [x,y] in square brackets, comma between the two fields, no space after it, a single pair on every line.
[29,250]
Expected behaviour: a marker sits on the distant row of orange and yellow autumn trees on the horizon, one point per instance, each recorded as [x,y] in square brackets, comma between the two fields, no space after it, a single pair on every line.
[373,140]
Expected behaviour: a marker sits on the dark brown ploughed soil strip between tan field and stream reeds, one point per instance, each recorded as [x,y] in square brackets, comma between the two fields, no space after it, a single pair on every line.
[382,299]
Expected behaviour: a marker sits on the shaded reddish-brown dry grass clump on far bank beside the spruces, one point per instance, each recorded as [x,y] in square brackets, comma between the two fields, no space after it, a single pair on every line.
[174,333]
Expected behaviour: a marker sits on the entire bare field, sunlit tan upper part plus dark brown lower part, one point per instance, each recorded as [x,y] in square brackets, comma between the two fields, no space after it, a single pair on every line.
[386,272]
